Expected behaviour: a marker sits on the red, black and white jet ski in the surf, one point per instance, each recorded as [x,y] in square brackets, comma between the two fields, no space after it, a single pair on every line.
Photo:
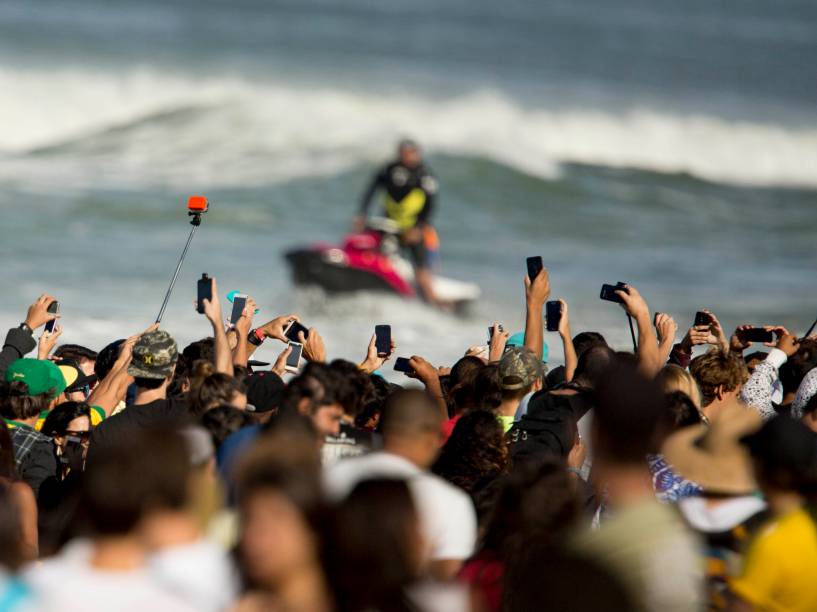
[371,261]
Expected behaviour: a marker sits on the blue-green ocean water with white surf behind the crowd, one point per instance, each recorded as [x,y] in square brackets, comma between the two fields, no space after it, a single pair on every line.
[672,145]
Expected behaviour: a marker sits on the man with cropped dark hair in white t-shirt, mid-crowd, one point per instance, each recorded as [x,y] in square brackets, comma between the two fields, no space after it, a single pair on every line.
[411,427]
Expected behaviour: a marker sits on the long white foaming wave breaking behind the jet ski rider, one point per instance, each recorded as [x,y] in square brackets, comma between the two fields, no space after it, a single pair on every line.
[142,127]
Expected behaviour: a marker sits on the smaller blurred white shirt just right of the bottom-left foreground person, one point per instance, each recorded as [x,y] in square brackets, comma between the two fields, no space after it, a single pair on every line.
[200,573]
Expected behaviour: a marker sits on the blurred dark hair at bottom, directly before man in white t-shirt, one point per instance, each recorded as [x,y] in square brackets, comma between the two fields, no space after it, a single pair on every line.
[372,573]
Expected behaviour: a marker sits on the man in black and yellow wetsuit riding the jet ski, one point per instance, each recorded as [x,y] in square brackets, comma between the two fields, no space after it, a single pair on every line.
[410,191]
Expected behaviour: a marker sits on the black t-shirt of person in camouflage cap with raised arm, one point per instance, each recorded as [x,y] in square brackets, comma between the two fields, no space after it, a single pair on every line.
[118,429]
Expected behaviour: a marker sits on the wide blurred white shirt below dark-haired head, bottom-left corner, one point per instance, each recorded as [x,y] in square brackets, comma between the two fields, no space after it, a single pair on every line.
[68,583]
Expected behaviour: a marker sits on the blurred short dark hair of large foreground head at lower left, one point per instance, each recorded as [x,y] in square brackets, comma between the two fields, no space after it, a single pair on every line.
[122,483]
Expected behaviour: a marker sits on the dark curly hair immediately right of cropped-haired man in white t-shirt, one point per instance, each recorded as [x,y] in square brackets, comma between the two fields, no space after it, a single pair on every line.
[475,453]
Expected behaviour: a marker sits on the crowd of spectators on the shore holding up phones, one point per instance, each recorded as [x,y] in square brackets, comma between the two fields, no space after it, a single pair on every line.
[142,476]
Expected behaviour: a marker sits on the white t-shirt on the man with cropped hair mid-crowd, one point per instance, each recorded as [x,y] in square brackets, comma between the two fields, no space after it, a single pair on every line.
[446,513]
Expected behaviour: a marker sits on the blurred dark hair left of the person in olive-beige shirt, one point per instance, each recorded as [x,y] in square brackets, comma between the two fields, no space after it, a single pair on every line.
[536,500]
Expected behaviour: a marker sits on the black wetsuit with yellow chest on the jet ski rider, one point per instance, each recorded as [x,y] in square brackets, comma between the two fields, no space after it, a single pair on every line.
[409,202]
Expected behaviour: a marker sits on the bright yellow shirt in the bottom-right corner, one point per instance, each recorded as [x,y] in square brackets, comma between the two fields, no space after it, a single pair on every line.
[780,570]
